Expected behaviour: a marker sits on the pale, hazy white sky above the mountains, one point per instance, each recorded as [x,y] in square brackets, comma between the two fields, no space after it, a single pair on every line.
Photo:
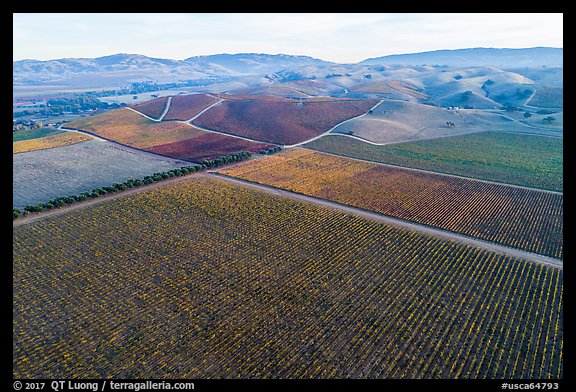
[338,37]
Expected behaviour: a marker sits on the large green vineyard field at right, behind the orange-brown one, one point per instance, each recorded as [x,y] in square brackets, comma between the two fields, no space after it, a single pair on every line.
[527,160]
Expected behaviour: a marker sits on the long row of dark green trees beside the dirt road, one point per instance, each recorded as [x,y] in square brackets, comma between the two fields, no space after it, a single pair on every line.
[131,183]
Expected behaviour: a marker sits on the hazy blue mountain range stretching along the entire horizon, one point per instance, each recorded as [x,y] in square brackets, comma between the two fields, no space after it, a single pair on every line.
[133,66]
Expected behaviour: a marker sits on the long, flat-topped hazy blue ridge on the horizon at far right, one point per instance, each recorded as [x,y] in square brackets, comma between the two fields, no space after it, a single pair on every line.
[498,57]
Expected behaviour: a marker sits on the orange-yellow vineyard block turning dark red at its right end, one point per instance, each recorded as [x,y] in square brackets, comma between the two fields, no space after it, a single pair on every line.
[171,138]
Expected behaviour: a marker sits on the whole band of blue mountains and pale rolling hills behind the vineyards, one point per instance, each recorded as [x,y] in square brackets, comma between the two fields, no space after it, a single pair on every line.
[484,78]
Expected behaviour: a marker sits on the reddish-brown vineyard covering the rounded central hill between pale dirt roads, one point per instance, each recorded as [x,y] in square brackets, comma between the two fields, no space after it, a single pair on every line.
[280,121]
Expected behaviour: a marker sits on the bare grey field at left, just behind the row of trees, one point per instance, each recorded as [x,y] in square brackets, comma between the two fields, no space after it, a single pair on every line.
[39,176]
